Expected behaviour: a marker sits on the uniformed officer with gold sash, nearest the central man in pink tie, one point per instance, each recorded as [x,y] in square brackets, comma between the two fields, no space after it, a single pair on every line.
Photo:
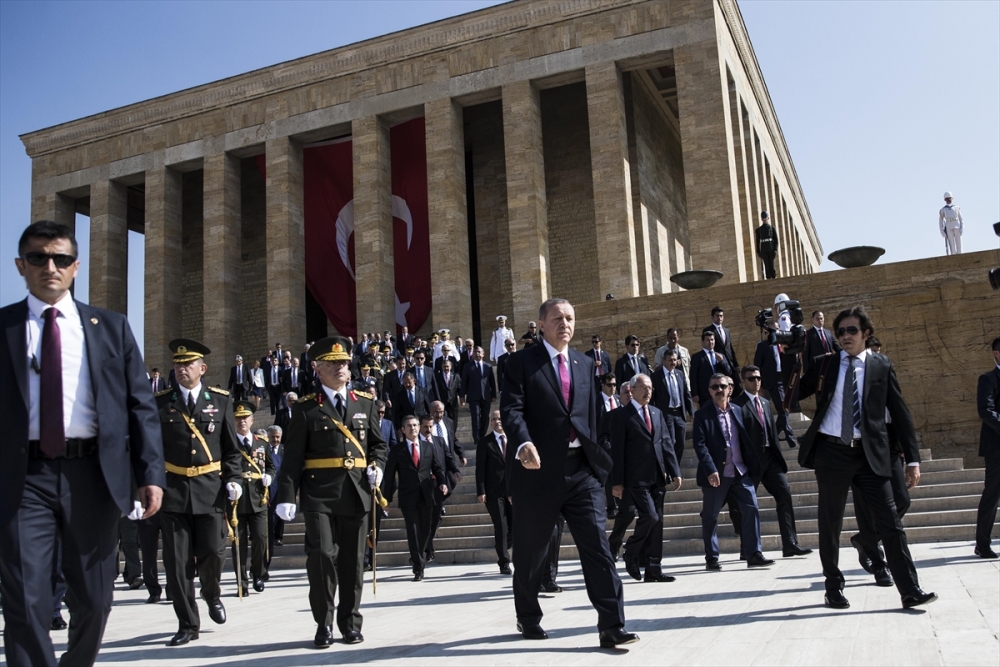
[334,458]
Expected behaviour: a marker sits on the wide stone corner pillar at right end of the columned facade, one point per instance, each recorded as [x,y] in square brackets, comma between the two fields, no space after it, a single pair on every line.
[709,160]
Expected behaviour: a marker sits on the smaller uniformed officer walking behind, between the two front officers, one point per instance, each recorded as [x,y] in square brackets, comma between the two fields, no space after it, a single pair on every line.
[251,509]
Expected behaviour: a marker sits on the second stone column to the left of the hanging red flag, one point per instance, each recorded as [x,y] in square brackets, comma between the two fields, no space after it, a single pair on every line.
[221,264]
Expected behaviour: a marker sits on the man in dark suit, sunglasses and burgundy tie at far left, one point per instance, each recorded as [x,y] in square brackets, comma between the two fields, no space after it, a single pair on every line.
[67,407]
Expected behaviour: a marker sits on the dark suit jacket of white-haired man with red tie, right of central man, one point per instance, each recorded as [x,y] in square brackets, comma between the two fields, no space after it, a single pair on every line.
[641,458]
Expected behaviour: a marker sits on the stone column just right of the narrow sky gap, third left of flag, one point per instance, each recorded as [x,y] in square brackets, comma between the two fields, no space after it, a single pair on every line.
[163,283]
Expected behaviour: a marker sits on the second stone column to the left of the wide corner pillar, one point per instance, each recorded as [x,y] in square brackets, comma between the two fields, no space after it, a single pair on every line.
[526,214]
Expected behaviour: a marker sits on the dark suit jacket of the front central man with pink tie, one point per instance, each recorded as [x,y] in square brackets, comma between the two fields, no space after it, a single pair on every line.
[533,410]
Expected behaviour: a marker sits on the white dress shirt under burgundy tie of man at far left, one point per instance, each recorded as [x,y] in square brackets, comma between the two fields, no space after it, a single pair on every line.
[79,406]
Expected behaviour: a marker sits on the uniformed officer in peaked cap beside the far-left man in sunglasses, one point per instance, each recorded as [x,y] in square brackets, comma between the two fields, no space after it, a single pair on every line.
[203,468]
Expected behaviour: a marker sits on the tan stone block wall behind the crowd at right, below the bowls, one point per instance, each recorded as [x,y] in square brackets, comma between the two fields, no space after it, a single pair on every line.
[935,318]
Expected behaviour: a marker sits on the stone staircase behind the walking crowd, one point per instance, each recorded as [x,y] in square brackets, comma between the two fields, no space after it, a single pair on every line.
[943,508]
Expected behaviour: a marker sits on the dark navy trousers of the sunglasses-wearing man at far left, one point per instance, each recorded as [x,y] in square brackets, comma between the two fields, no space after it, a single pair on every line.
[65,506]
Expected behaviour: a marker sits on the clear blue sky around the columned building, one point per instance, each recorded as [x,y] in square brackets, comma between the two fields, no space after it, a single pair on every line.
[884,105]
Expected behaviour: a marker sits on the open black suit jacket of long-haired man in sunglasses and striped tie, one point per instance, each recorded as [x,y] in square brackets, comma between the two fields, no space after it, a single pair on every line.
[881,392]
